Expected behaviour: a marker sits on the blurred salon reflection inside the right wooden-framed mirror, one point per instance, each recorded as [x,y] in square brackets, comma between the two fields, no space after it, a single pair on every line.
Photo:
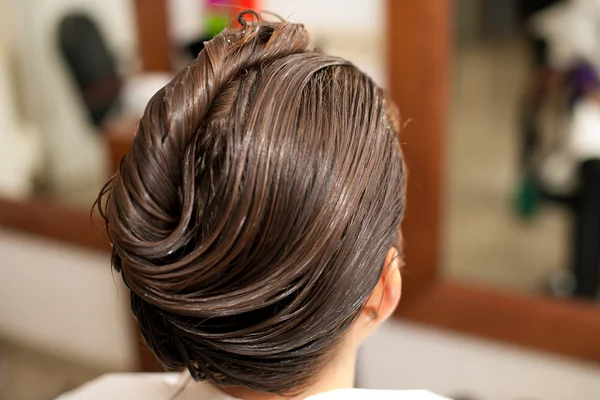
[523,192]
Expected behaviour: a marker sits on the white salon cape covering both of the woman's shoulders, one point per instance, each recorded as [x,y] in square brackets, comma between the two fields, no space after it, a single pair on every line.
[163,386]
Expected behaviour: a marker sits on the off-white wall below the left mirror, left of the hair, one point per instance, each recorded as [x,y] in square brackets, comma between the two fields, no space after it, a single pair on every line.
[64,300]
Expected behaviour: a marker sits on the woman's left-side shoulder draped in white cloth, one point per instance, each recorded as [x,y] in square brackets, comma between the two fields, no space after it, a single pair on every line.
[133,386]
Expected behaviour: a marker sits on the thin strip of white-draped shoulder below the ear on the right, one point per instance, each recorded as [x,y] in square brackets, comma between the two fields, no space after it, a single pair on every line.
[372,394]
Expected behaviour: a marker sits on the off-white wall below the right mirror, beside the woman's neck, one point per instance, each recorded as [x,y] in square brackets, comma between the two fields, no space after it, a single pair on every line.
[403,355]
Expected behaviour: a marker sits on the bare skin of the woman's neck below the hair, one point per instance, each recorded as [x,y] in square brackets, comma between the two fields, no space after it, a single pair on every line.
[337,375]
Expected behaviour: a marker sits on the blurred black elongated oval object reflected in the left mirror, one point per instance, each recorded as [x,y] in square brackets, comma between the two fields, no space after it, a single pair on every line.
[91,64]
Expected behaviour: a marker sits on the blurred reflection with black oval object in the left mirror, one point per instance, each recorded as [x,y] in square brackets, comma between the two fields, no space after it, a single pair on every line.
[69,81]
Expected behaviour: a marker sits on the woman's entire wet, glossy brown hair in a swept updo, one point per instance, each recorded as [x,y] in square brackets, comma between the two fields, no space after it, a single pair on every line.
[253,213]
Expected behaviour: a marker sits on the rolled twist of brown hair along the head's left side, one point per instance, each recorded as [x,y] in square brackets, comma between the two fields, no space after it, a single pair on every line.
[171,122]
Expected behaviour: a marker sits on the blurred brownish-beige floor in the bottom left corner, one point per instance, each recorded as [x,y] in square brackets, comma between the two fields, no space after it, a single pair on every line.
[26,374]
